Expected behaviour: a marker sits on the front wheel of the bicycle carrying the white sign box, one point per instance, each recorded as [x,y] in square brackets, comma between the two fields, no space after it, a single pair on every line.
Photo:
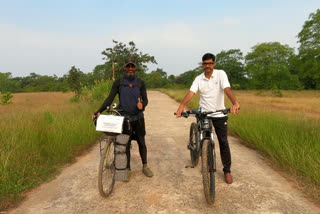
[106,170]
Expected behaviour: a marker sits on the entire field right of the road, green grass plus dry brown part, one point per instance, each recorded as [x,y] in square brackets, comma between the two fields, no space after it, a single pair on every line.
[285,129]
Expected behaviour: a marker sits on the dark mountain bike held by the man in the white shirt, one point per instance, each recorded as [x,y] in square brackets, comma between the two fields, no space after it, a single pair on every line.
[201,143]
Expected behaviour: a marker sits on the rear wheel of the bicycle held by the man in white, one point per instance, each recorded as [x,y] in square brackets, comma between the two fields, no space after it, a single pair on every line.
[194,144]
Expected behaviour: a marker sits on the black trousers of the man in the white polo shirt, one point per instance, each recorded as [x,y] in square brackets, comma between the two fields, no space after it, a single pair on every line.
[221,129]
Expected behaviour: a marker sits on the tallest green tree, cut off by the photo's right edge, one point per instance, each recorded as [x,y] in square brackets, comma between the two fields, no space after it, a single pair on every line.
[308,64]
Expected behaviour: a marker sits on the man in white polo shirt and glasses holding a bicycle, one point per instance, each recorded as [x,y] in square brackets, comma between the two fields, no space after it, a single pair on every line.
[212,84]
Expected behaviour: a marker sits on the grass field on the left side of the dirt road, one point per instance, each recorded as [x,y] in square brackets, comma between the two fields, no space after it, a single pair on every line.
[39,133]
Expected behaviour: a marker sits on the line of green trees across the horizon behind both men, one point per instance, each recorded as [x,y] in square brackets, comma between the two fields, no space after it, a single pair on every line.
[268,65]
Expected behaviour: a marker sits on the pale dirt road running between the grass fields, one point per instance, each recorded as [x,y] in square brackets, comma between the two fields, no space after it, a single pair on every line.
[174,189]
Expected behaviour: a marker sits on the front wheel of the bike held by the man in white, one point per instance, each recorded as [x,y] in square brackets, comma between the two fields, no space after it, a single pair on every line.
[208,171]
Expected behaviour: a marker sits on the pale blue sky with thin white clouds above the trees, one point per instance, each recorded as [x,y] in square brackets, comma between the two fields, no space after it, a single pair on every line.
[49,37]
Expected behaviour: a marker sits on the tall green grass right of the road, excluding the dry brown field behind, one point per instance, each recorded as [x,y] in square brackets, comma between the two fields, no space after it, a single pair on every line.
[291,141]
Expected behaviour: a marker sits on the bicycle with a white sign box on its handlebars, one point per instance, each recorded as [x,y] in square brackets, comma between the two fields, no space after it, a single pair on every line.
[107,169]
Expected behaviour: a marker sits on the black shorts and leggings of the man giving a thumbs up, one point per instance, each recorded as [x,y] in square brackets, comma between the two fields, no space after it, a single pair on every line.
[138,133]
